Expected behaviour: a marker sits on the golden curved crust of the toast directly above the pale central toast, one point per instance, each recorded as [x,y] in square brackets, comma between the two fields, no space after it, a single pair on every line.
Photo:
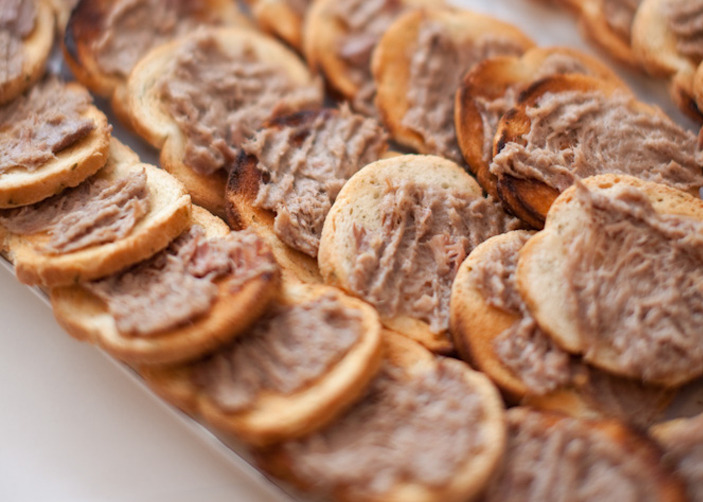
[392,57]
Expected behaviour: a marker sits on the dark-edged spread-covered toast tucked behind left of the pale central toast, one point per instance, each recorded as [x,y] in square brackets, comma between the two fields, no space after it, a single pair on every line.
[291,175]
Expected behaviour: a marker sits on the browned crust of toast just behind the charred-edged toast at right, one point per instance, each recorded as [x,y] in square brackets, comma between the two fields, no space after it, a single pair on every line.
[489,81]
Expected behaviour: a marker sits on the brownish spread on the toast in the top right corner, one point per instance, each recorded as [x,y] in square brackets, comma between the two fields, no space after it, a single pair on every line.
[685,18]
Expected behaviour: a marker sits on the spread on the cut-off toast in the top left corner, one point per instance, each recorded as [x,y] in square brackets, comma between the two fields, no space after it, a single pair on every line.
[17,18]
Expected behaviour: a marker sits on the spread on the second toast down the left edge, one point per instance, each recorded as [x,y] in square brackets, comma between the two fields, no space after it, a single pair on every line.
[38,125]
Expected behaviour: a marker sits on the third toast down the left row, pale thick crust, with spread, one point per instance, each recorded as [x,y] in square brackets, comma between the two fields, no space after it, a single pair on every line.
[166,212]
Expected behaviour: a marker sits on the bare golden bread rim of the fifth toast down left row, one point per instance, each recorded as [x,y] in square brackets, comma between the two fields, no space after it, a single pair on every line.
[273,416]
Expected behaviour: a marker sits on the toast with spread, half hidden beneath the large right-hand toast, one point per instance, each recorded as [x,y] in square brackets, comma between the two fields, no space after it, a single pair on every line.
[492,329]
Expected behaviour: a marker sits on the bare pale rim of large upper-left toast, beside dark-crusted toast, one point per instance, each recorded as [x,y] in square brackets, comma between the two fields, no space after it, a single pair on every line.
[149,117]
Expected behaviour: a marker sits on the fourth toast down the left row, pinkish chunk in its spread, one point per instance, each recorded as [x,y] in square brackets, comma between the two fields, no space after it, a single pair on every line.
[165,310]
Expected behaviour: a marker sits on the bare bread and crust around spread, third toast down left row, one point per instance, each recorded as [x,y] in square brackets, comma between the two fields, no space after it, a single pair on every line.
[169,211]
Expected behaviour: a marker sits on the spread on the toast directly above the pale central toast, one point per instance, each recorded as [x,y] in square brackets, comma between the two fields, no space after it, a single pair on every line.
[436,68]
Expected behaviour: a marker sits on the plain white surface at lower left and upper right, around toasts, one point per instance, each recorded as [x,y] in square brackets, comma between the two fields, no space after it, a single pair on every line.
[76,427]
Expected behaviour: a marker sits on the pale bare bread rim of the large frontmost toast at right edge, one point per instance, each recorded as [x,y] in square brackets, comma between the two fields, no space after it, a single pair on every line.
[540,268]
